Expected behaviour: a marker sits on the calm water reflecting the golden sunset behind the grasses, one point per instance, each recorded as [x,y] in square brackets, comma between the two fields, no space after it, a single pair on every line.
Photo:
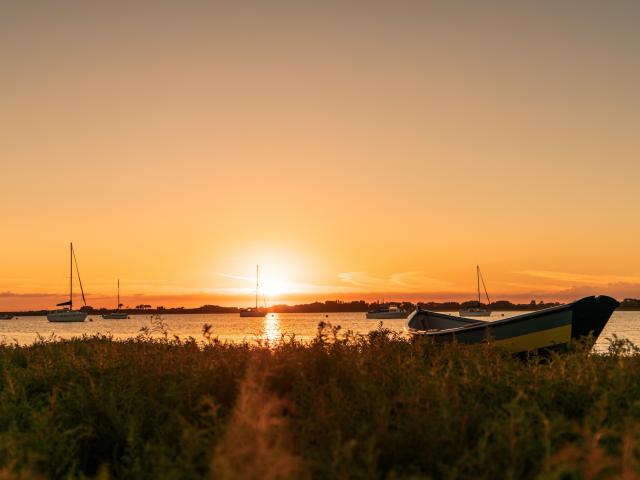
[231,327]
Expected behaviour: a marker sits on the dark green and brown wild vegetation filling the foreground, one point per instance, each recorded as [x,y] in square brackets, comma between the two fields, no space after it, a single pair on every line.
[343,406]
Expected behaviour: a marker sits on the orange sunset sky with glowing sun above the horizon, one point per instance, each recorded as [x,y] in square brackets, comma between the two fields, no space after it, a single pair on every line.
[353,149]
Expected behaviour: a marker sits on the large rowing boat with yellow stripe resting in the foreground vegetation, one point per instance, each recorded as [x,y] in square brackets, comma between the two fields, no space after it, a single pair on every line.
[548,328]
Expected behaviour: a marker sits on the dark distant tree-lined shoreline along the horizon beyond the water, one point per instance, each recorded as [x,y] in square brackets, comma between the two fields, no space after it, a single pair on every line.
[333,306]
